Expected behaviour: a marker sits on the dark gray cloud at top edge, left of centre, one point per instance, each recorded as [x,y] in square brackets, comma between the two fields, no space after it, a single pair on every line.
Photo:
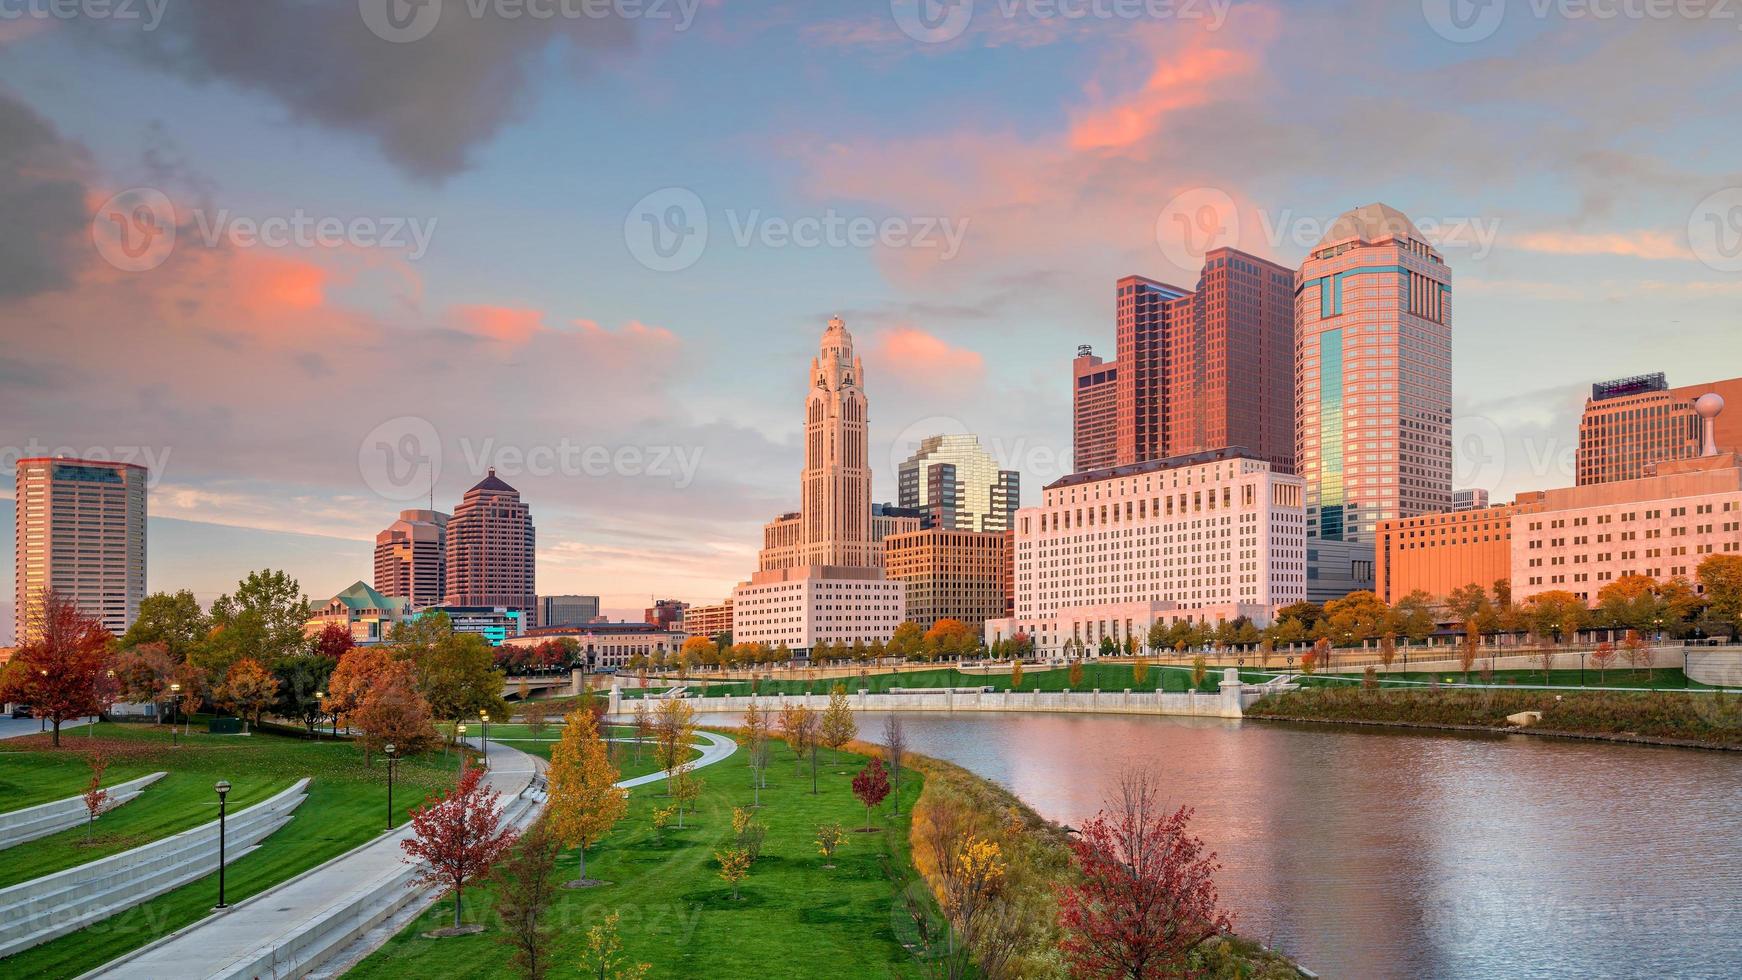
[428,105]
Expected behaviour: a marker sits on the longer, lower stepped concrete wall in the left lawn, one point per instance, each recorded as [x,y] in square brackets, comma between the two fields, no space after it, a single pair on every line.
[53,906]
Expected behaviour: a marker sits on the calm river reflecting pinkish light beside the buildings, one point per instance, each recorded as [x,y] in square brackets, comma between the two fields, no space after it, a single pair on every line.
[1386,854]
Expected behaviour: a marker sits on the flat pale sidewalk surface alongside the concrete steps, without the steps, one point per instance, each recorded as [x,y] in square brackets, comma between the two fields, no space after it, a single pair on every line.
[231,941]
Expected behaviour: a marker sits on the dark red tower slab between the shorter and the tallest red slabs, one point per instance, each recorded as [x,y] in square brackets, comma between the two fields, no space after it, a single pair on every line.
[1144,314]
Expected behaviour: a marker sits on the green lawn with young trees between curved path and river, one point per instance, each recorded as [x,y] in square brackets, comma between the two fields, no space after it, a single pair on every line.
[795,918]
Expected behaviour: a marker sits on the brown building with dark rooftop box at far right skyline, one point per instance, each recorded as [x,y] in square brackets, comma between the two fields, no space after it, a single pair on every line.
[1635,424]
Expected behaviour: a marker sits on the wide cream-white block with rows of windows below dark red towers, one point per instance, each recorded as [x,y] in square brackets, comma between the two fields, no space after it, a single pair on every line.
[1210,539]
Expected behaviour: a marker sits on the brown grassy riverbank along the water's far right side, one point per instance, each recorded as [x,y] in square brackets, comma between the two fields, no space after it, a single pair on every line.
[1663,718]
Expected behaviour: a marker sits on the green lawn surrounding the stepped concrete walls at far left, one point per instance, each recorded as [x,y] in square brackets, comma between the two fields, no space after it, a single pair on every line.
[346,807]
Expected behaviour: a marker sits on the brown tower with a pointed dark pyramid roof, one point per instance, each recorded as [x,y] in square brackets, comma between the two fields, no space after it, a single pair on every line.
[492,556]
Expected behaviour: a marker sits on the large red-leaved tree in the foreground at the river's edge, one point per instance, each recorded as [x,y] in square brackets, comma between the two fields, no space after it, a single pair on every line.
[1147,896]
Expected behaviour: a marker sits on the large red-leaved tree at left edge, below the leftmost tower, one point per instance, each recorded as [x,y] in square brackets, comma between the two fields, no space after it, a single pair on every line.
[65,671]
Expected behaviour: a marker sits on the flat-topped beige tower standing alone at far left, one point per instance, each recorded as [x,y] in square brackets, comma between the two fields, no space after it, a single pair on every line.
[79,534]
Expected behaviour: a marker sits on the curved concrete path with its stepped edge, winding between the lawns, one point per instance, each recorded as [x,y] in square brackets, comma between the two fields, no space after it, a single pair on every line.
[332,916]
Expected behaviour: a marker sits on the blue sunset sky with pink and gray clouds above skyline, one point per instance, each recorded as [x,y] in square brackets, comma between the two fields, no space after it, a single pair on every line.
[316,260]
